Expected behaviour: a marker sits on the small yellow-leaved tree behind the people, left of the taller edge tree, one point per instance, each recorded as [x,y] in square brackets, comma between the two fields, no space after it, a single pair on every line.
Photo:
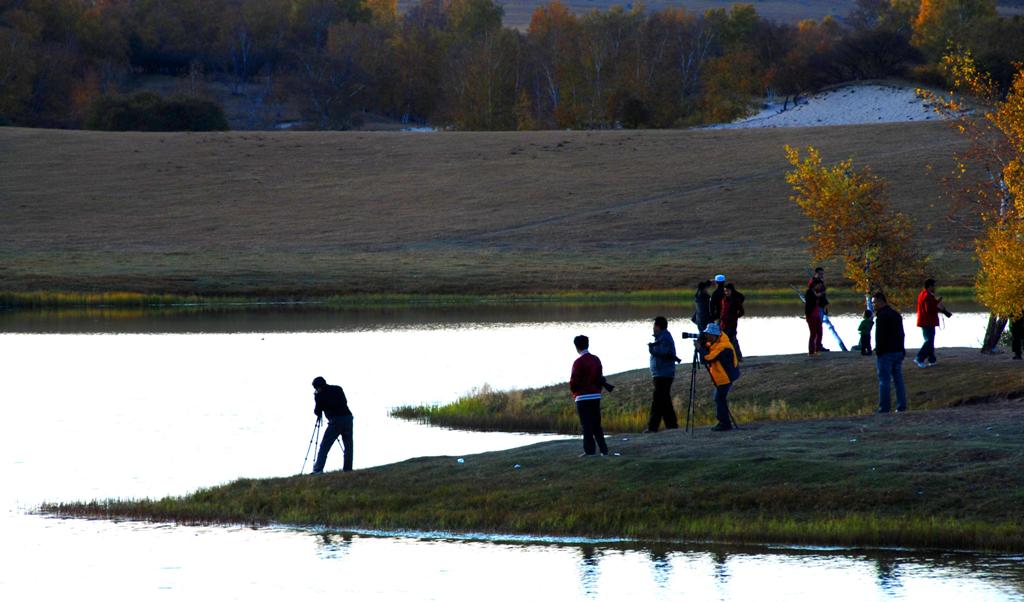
[852,221]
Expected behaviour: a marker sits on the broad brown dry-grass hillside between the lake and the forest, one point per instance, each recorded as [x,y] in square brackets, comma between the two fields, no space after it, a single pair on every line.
[318,213]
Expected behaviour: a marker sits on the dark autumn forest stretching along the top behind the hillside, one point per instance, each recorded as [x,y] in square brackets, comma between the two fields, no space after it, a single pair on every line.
[337,64]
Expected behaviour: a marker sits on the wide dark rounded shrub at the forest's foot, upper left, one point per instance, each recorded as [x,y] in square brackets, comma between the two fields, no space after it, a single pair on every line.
[151,113]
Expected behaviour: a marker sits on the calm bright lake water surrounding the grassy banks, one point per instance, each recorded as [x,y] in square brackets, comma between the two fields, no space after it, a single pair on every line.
[119,405]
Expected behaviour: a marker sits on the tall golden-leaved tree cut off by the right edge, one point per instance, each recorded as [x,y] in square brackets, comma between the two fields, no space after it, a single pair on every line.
[988,185]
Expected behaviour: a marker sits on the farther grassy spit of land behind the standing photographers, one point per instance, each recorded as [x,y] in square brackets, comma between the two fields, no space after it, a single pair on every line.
[786,388]
